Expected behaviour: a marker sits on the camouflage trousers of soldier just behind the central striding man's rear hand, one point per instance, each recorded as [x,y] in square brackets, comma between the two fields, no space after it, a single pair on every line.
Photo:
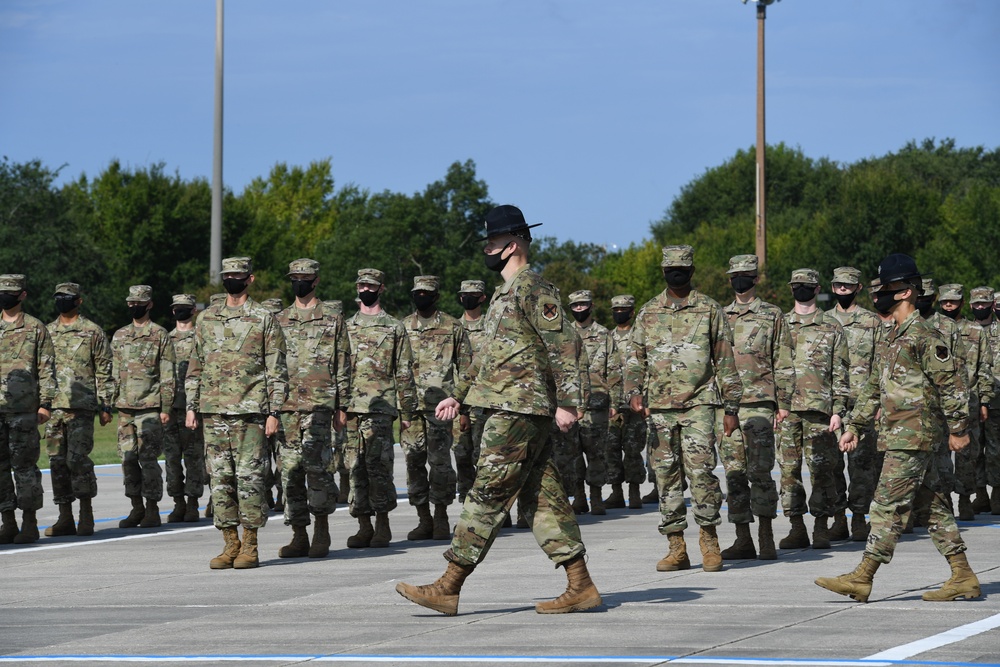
[580,454]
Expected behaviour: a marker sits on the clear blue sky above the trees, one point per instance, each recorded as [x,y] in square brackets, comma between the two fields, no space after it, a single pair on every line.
[590,116]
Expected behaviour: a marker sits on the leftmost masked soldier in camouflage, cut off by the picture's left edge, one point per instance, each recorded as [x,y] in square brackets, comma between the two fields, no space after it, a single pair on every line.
[28,387]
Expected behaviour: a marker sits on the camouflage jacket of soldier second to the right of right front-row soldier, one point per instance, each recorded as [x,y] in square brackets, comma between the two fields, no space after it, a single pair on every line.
[822,363]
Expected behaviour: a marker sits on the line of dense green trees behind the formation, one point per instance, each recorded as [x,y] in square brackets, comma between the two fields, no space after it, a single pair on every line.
[932,199]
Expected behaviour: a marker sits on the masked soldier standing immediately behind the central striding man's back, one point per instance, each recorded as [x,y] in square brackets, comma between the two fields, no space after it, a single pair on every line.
[588,437]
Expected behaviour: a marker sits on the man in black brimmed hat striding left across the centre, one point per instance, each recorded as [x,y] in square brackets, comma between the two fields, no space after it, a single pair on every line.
[524,375]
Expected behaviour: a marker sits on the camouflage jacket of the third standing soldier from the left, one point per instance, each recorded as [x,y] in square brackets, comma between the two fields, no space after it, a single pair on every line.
[143,368]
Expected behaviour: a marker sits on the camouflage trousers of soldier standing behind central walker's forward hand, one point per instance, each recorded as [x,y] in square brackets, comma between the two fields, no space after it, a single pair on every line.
[427,444]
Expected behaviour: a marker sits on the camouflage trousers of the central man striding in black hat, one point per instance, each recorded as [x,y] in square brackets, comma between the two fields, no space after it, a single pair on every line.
[516,463]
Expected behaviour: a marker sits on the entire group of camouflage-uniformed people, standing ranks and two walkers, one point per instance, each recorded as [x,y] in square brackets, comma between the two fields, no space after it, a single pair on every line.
[889,411]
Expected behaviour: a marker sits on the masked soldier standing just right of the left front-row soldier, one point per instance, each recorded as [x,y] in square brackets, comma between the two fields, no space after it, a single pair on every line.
[318,394]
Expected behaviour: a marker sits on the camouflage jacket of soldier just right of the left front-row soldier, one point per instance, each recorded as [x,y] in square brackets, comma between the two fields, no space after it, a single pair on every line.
[319,359]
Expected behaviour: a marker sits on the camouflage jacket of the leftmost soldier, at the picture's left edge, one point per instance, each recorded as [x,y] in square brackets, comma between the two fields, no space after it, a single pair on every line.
[27,365]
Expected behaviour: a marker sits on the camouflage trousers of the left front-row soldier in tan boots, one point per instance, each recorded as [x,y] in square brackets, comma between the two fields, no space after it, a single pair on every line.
[237,453]
